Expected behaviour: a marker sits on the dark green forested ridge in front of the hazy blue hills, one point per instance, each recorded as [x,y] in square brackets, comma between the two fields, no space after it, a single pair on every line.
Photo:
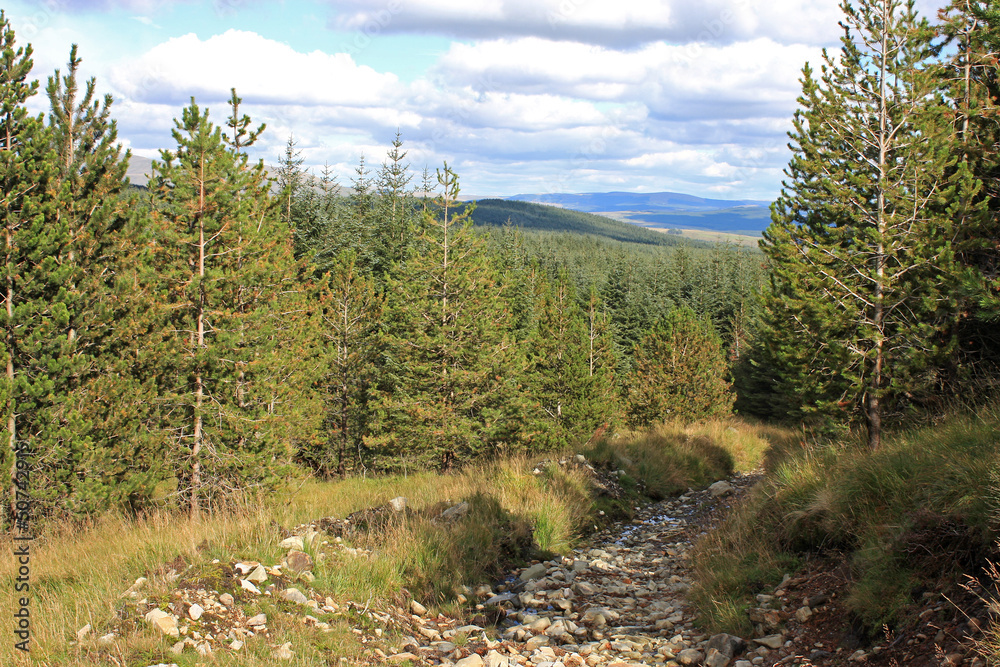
[540,217]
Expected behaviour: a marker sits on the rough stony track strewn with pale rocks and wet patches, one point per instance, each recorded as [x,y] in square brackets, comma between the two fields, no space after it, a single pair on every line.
[619,601]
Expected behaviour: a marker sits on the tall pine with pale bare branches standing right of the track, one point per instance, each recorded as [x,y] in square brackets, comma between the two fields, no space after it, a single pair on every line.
[863,272]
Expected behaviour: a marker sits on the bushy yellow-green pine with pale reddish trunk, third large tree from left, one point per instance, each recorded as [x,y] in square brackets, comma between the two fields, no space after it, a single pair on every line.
[223,269]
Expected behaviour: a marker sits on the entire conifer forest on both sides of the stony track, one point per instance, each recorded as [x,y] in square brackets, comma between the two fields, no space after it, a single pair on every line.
[230,327]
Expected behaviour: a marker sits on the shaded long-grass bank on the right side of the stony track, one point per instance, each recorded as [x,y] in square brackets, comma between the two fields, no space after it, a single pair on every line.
[913,511]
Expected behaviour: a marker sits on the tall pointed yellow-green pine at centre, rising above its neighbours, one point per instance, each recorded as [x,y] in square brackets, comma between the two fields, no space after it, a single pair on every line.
[449,368]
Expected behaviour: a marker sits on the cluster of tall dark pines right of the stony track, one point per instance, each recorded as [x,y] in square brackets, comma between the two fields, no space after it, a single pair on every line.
[883,246]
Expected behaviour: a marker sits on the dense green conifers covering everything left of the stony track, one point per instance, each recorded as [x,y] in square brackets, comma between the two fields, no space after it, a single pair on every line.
[222,330]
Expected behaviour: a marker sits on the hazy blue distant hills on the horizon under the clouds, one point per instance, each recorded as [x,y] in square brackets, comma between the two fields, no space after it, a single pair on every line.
[667,210]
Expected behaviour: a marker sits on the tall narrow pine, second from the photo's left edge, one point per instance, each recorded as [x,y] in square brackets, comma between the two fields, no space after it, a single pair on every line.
[81,465]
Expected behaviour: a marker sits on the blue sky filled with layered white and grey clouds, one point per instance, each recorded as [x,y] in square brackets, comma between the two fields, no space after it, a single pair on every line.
[519,96]
